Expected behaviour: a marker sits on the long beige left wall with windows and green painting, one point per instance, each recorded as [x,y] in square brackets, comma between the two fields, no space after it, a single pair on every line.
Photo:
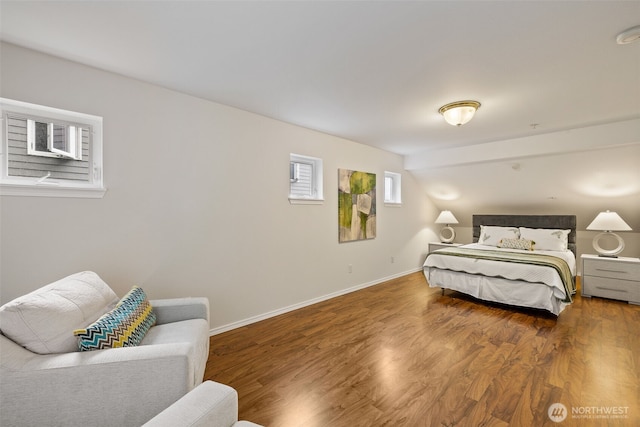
[197,202]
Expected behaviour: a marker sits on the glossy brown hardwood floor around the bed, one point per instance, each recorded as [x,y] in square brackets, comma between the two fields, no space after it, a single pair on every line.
[402,354]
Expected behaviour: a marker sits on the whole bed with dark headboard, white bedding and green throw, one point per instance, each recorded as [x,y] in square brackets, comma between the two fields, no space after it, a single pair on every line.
[519,260]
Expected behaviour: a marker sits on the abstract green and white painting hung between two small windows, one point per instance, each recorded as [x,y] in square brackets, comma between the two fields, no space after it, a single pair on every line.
[356,205]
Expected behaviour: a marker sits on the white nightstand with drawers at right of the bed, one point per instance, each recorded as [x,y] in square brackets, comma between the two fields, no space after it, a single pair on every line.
[616,278]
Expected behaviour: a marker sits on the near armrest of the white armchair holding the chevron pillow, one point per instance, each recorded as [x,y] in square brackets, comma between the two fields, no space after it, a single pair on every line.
[126,386]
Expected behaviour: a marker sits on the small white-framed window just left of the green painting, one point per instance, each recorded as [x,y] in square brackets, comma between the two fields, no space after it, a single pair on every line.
[305,178]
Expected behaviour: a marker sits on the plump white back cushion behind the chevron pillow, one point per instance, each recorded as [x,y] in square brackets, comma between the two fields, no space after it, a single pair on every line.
[43,320]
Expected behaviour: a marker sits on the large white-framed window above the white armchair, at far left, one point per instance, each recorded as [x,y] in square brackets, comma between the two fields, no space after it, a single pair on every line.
[49,152]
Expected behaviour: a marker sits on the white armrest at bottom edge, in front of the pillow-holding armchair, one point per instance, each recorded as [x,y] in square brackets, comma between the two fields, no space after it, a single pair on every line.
[210,404]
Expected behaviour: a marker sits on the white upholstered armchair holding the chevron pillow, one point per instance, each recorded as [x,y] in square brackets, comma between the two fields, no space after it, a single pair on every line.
[45,381]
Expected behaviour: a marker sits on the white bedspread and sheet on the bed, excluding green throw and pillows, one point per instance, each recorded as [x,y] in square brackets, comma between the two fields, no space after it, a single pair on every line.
[509,283]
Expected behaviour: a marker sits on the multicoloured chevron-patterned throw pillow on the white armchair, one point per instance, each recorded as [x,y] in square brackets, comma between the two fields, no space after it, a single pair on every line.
[124,326]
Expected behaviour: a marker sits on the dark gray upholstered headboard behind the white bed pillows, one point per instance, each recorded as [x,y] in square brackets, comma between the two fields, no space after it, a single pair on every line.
[564,222]
